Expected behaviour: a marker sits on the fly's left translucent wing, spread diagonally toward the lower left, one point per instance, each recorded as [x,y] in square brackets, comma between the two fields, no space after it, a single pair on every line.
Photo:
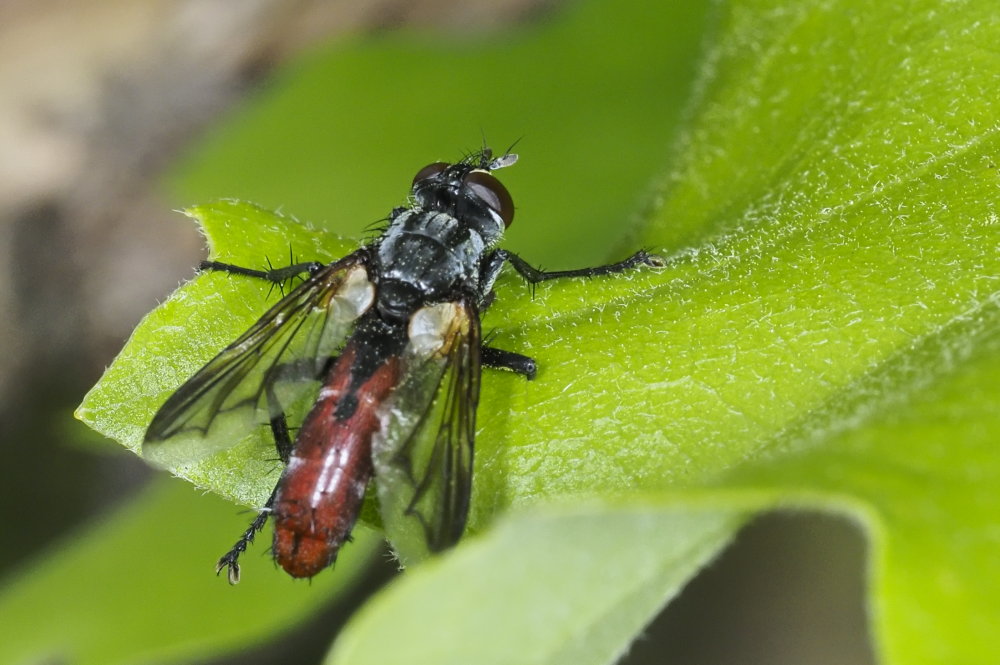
[264,372]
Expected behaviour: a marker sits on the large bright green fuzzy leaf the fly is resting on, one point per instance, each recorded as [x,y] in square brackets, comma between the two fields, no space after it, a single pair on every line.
[827,336]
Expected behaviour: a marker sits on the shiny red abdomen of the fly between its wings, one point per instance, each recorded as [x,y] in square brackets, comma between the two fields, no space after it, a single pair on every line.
[320,492]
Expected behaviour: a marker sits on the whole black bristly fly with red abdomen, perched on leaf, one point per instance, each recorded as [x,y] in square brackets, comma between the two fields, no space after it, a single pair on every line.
[391,335]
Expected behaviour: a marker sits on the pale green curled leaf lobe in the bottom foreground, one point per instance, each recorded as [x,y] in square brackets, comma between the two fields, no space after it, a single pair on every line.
[569,588]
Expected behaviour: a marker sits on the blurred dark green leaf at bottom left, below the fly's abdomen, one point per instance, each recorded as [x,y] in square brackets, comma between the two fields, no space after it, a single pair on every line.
[137,586]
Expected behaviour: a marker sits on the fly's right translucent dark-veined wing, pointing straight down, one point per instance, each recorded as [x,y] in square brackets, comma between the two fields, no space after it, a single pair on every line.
[423,452]
